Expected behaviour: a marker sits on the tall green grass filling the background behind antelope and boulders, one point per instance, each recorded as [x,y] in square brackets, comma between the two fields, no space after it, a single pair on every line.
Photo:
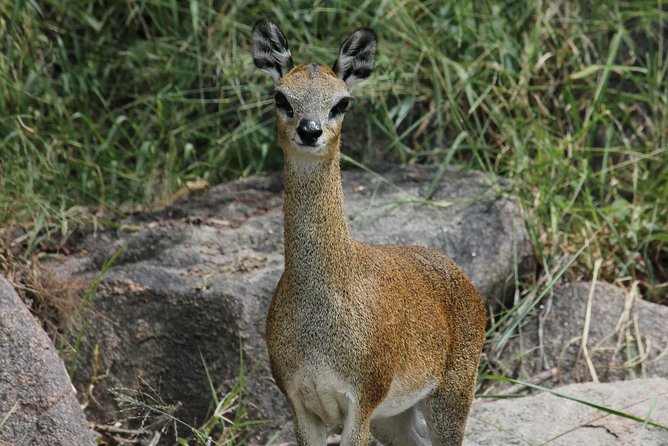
[107,107]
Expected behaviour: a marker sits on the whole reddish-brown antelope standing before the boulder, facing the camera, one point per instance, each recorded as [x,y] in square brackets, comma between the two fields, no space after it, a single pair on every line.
[368,336]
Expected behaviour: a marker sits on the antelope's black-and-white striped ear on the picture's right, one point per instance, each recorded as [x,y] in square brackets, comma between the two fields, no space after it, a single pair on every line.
[356,56]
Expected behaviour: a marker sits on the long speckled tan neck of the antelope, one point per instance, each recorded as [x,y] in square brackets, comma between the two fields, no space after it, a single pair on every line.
[317,240]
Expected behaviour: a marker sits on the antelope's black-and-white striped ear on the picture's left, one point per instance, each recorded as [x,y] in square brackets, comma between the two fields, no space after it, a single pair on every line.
[270,49]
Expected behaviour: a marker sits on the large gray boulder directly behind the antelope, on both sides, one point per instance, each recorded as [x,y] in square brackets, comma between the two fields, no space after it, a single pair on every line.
[194,281]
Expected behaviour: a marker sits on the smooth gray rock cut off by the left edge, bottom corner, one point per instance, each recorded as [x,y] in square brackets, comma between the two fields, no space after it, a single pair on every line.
[38,405]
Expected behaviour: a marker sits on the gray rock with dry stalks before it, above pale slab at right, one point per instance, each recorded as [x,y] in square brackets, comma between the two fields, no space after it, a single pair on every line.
[627,337]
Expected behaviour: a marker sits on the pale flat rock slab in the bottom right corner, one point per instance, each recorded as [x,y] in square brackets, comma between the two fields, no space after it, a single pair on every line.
[546,418]
